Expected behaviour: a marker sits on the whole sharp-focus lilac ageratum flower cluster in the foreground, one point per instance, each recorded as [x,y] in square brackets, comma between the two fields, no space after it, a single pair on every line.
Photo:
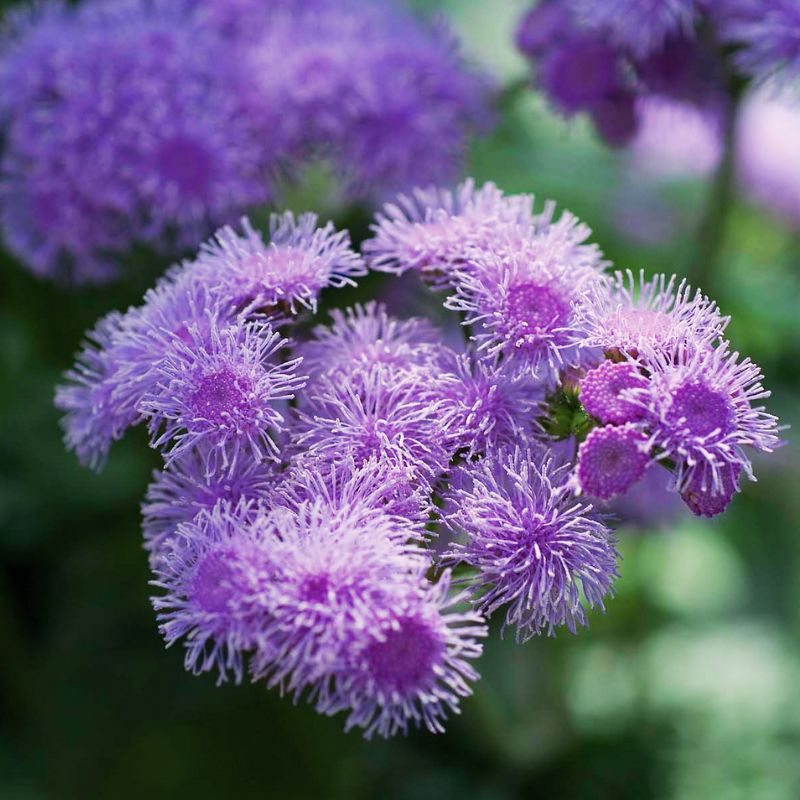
[342,506]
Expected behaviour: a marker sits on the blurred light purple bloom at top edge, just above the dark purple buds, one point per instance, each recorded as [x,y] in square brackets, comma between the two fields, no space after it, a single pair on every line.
[638,26]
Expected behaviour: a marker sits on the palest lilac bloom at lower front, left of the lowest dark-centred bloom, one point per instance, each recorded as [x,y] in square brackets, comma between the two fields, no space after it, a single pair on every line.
[332,572]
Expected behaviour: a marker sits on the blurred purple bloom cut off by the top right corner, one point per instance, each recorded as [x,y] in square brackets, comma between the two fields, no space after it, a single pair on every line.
[767,33]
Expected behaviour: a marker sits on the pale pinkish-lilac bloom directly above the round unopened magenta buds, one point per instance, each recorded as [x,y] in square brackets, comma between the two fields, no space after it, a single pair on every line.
[658,314]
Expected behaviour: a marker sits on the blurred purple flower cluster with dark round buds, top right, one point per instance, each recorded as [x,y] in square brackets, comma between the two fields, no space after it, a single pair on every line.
[604,57]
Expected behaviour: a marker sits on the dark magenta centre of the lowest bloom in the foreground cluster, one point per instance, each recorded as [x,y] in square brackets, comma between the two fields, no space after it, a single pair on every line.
[404,660]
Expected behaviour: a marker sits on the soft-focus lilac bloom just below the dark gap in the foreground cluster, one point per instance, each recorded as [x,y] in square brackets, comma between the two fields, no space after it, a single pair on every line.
[364,336]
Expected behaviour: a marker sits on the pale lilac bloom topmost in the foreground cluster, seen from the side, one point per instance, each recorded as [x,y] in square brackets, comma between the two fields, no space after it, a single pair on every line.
[433,230]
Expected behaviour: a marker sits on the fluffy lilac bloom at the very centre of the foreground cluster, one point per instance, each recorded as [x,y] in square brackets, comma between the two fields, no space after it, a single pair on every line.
[381,415]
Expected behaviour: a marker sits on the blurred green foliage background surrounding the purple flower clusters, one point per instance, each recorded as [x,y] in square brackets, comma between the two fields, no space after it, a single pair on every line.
[686,689]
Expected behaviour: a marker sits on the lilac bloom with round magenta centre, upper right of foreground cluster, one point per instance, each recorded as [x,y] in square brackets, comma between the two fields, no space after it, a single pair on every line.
[519,299]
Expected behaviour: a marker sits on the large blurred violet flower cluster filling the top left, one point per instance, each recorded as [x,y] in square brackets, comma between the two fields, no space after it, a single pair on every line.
[157,121]
